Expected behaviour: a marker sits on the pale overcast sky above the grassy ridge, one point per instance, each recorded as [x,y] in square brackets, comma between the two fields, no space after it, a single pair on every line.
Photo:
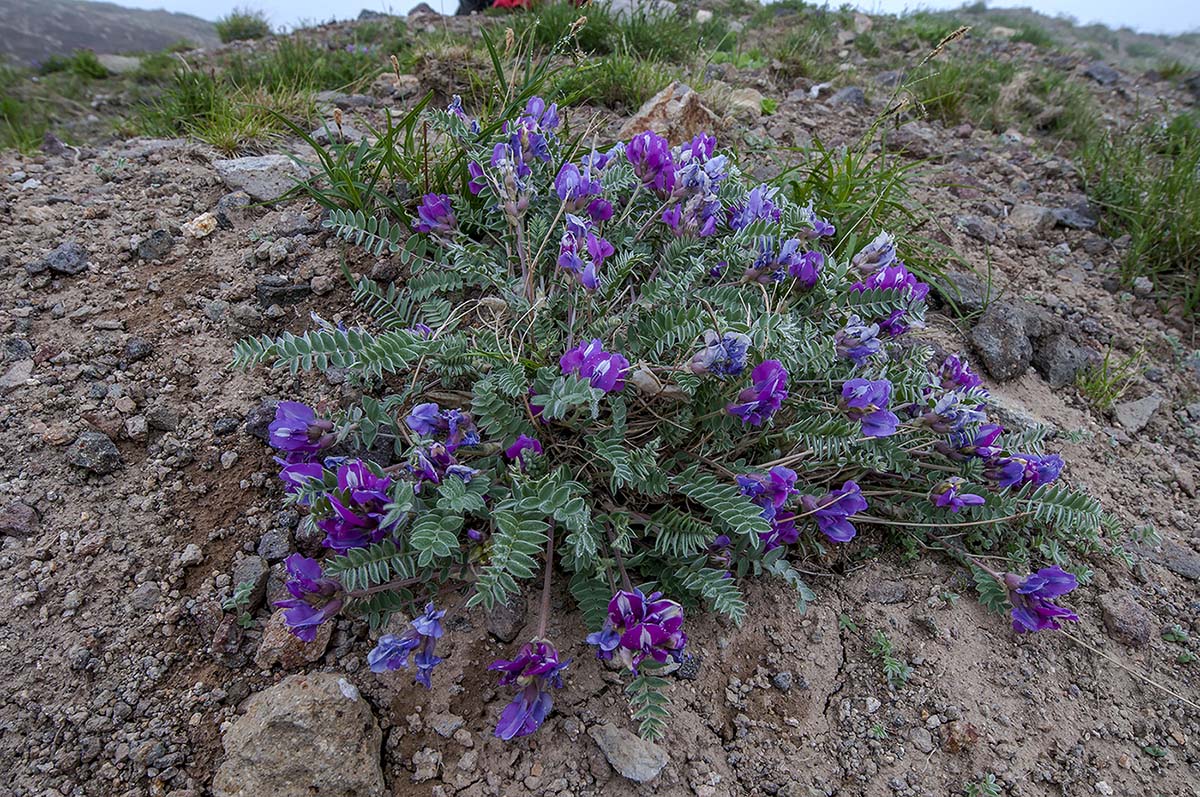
[1148,16]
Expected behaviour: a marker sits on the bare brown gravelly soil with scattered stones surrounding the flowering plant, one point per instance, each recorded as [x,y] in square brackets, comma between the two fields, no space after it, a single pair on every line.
[139,492]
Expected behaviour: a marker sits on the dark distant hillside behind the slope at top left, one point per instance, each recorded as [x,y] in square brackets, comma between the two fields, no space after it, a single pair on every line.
[32,31]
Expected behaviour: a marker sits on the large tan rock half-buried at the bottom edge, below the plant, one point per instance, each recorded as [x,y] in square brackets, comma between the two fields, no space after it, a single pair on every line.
[308,735]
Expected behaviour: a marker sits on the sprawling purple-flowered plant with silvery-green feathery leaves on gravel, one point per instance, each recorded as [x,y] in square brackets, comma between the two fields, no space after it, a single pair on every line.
[632,367]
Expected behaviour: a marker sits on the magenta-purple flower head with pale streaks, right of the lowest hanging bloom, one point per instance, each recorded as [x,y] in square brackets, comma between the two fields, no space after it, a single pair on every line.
[640,628]
